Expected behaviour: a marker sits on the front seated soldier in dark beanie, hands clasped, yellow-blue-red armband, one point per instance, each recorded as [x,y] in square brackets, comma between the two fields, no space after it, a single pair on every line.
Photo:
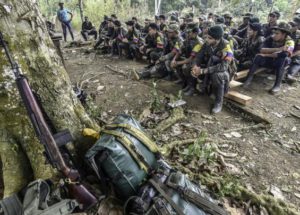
[216,55]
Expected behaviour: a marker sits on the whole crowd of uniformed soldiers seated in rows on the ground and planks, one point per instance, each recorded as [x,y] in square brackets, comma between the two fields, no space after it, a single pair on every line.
[208,51]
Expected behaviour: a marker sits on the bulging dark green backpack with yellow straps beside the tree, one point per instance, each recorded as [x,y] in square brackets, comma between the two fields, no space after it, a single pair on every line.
[123,156]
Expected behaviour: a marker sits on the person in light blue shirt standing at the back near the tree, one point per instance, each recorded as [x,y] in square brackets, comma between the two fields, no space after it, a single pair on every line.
[65,21]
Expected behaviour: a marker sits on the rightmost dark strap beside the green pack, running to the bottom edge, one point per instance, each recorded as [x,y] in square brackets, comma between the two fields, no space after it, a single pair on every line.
[195,198]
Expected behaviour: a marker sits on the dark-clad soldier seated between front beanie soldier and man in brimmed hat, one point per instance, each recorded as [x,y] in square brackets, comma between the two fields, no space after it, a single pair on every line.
[250,46]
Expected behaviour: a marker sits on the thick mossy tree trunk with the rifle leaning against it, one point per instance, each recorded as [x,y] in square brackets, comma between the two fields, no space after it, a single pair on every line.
[20,151]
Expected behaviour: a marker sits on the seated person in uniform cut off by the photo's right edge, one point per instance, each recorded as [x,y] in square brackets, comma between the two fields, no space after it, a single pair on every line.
[294,67]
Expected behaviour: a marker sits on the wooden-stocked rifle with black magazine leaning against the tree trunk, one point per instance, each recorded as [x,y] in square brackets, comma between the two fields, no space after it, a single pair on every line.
[48,140]
